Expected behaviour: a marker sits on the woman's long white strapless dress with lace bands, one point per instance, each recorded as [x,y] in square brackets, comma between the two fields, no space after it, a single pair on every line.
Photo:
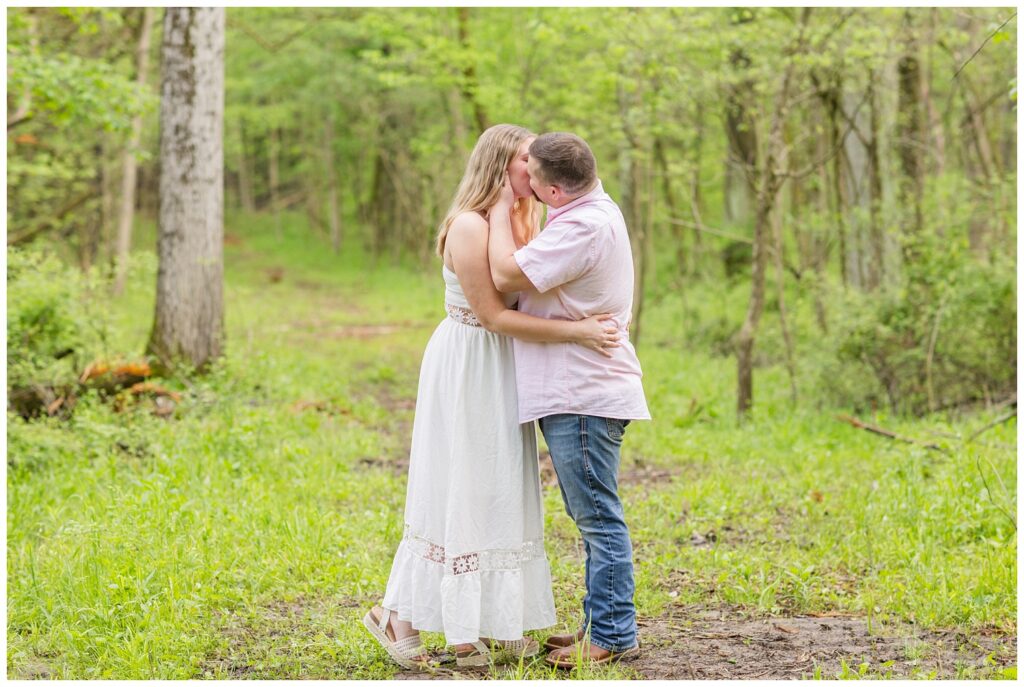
[472,563]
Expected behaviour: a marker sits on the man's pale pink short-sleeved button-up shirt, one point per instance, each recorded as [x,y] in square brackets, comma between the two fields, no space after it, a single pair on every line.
[581,266]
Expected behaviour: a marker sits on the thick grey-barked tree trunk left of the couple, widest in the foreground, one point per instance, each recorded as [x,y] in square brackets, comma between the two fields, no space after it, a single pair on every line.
[190,322]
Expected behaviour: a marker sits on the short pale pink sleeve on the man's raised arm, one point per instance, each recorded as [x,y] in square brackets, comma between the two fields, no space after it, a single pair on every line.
[564,252]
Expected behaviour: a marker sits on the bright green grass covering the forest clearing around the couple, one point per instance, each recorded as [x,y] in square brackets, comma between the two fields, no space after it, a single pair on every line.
[250,531]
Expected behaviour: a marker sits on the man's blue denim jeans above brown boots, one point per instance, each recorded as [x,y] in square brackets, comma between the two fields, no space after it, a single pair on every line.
[585,455]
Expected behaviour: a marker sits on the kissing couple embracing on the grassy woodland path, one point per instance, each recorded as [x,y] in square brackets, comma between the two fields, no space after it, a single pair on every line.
[537,335]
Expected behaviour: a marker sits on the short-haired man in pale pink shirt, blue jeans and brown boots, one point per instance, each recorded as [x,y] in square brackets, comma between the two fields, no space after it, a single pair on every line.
[580,266]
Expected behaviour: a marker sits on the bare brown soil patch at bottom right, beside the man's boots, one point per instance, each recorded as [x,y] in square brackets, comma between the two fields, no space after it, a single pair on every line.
[703,643]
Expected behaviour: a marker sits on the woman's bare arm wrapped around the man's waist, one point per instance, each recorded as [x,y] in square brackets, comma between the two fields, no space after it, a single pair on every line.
[467,243]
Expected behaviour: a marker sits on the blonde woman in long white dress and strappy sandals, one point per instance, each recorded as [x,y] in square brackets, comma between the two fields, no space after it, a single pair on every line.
[472,563]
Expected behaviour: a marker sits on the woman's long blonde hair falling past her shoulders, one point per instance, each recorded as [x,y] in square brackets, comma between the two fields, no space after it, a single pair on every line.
[482,184]
